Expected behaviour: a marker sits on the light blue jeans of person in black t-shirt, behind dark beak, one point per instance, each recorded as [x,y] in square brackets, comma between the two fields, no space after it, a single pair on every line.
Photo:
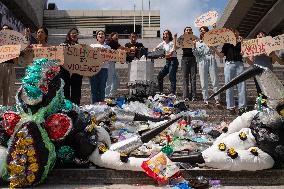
[231,70]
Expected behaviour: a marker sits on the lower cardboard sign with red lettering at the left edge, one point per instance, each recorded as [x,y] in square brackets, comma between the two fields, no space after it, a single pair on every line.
[8,52]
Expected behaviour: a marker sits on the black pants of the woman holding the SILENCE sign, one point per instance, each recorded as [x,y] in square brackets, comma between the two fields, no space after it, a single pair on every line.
[72,87]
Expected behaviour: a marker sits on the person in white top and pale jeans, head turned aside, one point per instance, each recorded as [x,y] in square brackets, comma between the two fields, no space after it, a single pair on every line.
[205,57]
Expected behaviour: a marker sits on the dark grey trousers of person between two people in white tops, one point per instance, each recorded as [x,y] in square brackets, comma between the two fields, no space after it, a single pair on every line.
[189,69]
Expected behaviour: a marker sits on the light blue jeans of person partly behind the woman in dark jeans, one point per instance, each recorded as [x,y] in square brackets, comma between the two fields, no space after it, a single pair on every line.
[112,81]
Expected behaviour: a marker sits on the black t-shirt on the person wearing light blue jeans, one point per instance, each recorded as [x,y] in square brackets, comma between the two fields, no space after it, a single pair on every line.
[232,53]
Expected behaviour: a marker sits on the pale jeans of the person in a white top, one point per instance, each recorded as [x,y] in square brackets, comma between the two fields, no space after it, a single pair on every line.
[208,65]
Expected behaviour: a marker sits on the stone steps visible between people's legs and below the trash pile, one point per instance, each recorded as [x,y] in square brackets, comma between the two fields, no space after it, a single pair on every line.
[99,176]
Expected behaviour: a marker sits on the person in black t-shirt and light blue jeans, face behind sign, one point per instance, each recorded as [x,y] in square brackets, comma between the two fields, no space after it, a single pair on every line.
[233,67]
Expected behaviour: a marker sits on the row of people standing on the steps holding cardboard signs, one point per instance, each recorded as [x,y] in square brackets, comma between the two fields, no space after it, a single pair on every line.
[105,82]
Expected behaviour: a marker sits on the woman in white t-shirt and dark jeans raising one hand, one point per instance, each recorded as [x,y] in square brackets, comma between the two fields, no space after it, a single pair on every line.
[171,62]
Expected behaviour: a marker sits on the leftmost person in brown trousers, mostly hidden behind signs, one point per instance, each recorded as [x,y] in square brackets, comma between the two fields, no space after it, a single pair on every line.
[7,74]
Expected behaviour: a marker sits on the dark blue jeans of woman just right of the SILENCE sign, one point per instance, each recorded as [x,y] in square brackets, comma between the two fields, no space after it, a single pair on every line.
[98,85]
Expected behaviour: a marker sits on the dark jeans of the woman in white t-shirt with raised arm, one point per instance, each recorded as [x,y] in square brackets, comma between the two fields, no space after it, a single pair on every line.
[171,68]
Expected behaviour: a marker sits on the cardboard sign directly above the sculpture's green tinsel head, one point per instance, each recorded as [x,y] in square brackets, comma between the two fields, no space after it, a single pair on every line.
[52,52]
